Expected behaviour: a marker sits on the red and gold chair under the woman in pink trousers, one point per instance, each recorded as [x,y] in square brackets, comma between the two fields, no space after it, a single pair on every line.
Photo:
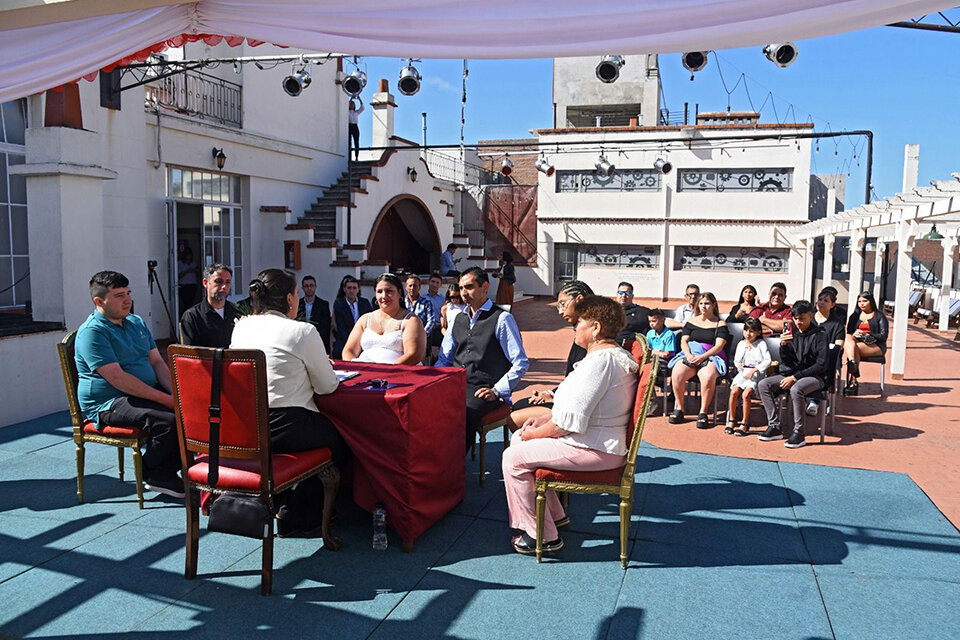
[617,481]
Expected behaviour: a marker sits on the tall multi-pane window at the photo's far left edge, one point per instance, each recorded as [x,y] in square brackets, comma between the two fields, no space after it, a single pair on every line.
[14,249]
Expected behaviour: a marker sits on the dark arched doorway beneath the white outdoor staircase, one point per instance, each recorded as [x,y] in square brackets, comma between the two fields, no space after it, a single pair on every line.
[405,235]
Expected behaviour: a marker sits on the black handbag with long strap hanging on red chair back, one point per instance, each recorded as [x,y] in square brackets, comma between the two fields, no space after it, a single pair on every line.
[238,514]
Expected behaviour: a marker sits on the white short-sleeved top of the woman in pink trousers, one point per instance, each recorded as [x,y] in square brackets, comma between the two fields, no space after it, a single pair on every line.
[595,402]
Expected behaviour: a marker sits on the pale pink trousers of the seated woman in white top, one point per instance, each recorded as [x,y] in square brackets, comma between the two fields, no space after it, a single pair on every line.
[520,463]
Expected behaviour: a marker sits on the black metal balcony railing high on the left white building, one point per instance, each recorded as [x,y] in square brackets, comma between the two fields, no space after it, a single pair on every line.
[199,94]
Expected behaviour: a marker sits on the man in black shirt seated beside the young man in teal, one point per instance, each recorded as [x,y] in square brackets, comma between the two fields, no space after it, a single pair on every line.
[209,323]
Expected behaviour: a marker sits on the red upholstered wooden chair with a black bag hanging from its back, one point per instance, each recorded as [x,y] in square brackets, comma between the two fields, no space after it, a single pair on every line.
[245,461]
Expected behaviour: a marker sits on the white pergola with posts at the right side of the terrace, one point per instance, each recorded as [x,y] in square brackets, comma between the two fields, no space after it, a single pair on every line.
[901,219]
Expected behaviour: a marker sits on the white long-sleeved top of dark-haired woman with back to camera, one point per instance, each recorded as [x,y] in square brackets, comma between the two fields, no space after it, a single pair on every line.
[297,364]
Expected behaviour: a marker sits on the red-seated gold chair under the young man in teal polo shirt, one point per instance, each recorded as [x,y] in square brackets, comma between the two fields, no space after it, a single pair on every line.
[85,431]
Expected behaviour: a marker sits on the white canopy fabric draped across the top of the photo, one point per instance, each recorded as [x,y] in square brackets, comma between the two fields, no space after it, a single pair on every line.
[46,43]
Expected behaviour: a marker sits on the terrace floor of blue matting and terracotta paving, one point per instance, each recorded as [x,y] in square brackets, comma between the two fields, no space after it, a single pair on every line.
[722,544]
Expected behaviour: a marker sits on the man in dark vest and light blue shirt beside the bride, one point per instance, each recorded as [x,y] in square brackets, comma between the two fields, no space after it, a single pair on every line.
[486,342]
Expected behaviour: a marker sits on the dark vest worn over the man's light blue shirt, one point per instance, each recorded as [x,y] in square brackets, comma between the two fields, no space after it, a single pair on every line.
[478,350]
